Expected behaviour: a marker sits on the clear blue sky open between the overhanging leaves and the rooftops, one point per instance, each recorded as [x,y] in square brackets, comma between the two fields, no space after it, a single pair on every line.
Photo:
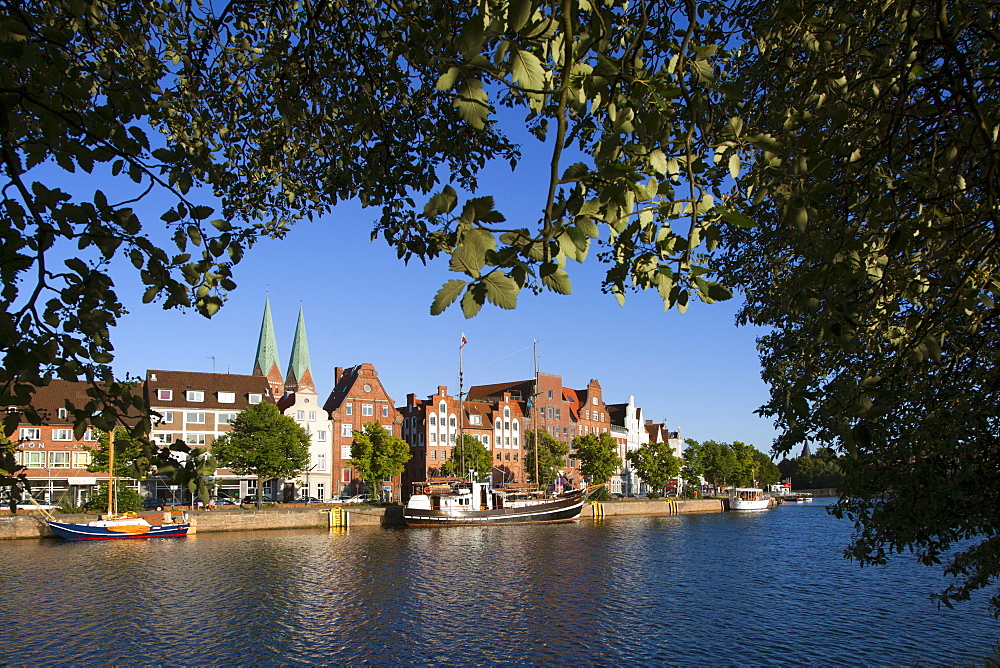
[697,370]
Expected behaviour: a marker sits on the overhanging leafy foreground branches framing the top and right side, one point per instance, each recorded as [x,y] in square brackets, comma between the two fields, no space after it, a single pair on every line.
[836,162]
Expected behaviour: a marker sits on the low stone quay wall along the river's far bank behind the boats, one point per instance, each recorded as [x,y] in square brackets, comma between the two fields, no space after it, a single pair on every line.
[32,524]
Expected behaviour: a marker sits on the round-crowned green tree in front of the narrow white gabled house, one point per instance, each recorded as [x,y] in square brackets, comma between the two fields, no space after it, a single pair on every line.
[262,442]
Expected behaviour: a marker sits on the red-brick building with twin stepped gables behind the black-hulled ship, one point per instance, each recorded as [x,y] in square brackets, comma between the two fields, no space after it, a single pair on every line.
[432,426]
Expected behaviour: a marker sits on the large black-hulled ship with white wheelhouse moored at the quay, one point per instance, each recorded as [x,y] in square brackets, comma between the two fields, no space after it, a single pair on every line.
[466,502]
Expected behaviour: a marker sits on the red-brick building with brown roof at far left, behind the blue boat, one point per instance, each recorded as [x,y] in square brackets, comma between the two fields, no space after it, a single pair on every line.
[54,459]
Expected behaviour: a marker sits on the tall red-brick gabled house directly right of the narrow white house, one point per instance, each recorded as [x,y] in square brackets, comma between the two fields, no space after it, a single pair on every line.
[358,398]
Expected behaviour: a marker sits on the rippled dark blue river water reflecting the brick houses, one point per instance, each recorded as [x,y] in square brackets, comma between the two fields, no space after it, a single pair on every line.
[762,588]
